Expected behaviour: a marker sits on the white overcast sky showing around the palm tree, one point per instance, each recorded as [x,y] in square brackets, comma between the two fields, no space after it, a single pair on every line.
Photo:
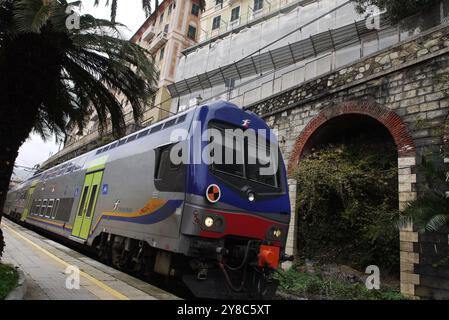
[35,150]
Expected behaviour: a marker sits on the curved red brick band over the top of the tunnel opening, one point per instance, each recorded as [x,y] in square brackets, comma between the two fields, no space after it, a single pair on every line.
[391,121]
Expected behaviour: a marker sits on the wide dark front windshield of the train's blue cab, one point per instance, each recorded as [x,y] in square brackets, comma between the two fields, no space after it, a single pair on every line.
[246,155]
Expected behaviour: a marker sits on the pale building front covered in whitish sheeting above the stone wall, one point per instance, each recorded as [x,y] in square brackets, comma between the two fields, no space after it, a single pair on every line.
[293,41]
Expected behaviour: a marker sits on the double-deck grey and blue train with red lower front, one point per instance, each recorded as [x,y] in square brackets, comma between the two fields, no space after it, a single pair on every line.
[219,228]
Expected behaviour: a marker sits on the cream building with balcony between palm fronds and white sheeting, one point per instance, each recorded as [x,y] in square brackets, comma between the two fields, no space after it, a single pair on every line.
[171,28]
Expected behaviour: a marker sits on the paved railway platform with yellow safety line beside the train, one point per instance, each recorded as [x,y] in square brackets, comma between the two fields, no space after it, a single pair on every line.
[48,264]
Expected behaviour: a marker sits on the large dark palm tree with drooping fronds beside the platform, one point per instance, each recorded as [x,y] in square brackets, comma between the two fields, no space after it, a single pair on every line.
[52,76]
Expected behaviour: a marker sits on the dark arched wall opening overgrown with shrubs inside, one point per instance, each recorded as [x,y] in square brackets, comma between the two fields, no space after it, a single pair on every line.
[348,196]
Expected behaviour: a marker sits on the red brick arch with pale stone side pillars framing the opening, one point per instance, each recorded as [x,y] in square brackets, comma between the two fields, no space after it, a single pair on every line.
[406,151]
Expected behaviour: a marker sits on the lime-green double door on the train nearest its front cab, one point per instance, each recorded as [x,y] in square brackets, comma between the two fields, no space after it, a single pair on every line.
[86,207]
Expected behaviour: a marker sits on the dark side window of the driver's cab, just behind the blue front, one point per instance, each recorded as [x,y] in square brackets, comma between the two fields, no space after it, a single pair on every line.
[167,174]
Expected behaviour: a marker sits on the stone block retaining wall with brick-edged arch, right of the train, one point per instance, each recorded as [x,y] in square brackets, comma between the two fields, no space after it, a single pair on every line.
[404,88]
